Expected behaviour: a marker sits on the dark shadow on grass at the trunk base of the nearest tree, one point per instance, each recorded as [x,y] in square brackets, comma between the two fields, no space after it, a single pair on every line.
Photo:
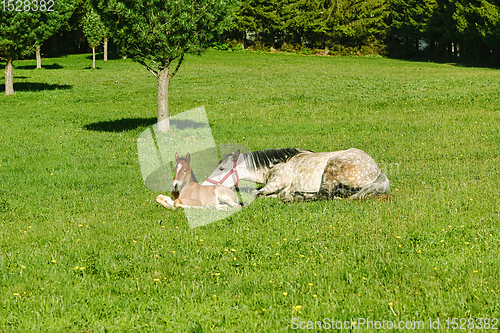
[129,124]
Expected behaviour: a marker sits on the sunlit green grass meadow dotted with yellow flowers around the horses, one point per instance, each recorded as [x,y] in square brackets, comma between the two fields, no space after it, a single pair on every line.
[85,248]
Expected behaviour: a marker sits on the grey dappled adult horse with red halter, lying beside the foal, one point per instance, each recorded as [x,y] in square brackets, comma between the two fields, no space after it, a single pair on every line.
[299,174]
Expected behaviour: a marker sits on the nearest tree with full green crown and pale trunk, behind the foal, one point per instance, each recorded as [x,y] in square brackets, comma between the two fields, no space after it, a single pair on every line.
[156,33]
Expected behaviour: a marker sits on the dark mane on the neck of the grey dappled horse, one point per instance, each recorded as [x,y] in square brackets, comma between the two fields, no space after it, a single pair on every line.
[268,158]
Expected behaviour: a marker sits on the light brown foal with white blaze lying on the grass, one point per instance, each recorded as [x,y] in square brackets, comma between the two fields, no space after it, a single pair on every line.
[188,192]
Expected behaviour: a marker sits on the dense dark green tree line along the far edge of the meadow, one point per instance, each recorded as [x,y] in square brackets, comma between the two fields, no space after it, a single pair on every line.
[440,29]
